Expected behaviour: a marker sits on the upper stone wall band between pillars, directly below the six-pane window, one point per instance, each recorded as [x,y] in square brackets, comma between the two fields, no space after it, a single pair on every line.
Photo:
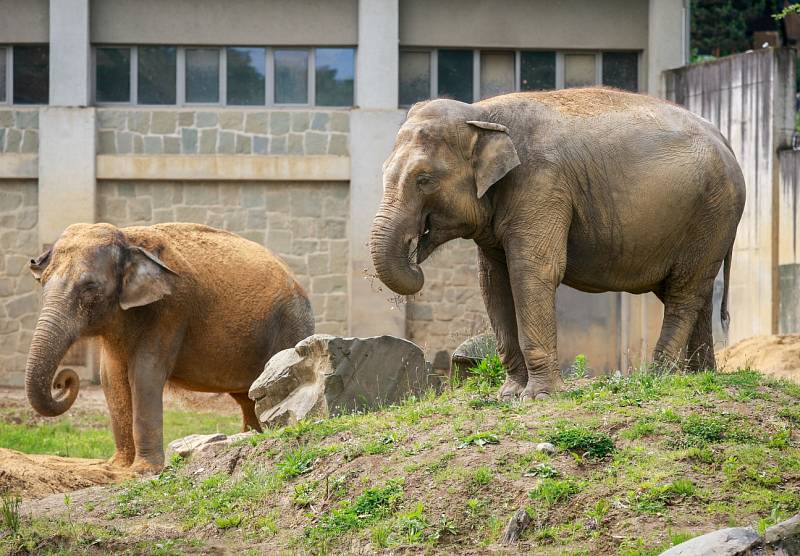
[223,131]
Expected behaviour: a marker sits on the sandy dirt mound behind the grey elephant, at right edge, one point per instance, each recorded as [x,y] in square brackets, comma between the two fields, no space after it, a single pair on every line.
[778,356]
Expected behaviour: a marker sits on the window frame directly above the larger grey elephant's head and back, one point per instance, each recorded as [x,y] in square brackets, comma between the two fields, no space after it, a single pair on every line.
[559,60]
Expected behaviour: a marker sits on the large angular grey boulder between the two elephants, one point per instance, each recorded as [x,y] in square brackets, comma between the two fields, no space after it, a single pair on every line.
[327,375]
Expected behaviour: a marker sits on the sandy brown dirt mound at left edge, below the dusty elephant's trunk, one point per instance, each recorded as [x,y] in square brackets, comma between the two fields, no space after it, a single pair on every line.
[34,476]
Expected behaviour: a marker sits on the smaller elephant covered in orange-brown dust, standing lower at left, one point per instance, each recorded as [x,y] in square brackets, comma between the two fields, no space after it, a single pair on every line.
[200,308]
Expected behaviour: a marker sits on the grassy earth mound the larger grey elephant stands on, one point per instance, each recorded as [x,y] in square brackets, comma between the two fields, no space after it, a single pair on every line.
[643,462]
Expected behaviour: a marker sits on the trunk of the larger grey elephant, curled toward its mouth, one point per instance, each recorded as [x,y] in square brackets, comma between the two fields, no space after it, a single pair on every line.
[390,243]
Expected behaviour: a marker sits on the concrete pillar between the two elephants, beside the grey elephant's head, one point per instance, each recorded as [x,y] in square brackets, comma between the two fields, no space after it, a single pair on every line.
[373,126]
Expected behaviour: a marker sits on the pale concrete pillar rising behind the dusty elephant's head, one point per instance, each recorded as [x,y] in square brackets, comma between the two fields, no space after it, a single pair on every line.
[67,127]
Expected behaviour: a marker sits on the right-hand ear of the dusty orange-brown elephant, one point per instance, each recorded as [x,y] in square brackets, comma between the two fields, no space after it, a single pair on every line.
[146,280]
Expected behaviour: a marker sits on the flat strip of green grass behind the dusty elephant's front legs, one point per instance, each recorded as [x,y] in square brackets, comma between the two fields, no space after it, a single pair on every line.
[84,435]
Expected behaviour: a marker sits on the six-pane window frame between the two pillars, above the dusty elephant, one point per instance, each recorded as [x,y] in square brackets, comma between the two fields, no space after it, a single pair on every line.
[180,76]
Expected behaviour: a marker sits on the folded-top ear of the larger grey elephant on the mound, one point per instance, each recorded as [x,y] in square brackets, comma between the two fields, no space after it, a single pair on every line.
[493,156]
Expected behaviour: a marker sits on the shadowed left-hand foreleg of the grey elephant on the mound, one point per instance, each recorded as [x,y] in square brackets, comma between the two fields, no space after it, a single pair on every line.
[497,297]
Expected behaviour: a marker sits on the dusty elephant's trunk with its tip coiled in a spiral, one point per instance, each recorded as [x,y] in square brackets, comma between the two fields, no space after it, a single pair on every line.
[51,394]
